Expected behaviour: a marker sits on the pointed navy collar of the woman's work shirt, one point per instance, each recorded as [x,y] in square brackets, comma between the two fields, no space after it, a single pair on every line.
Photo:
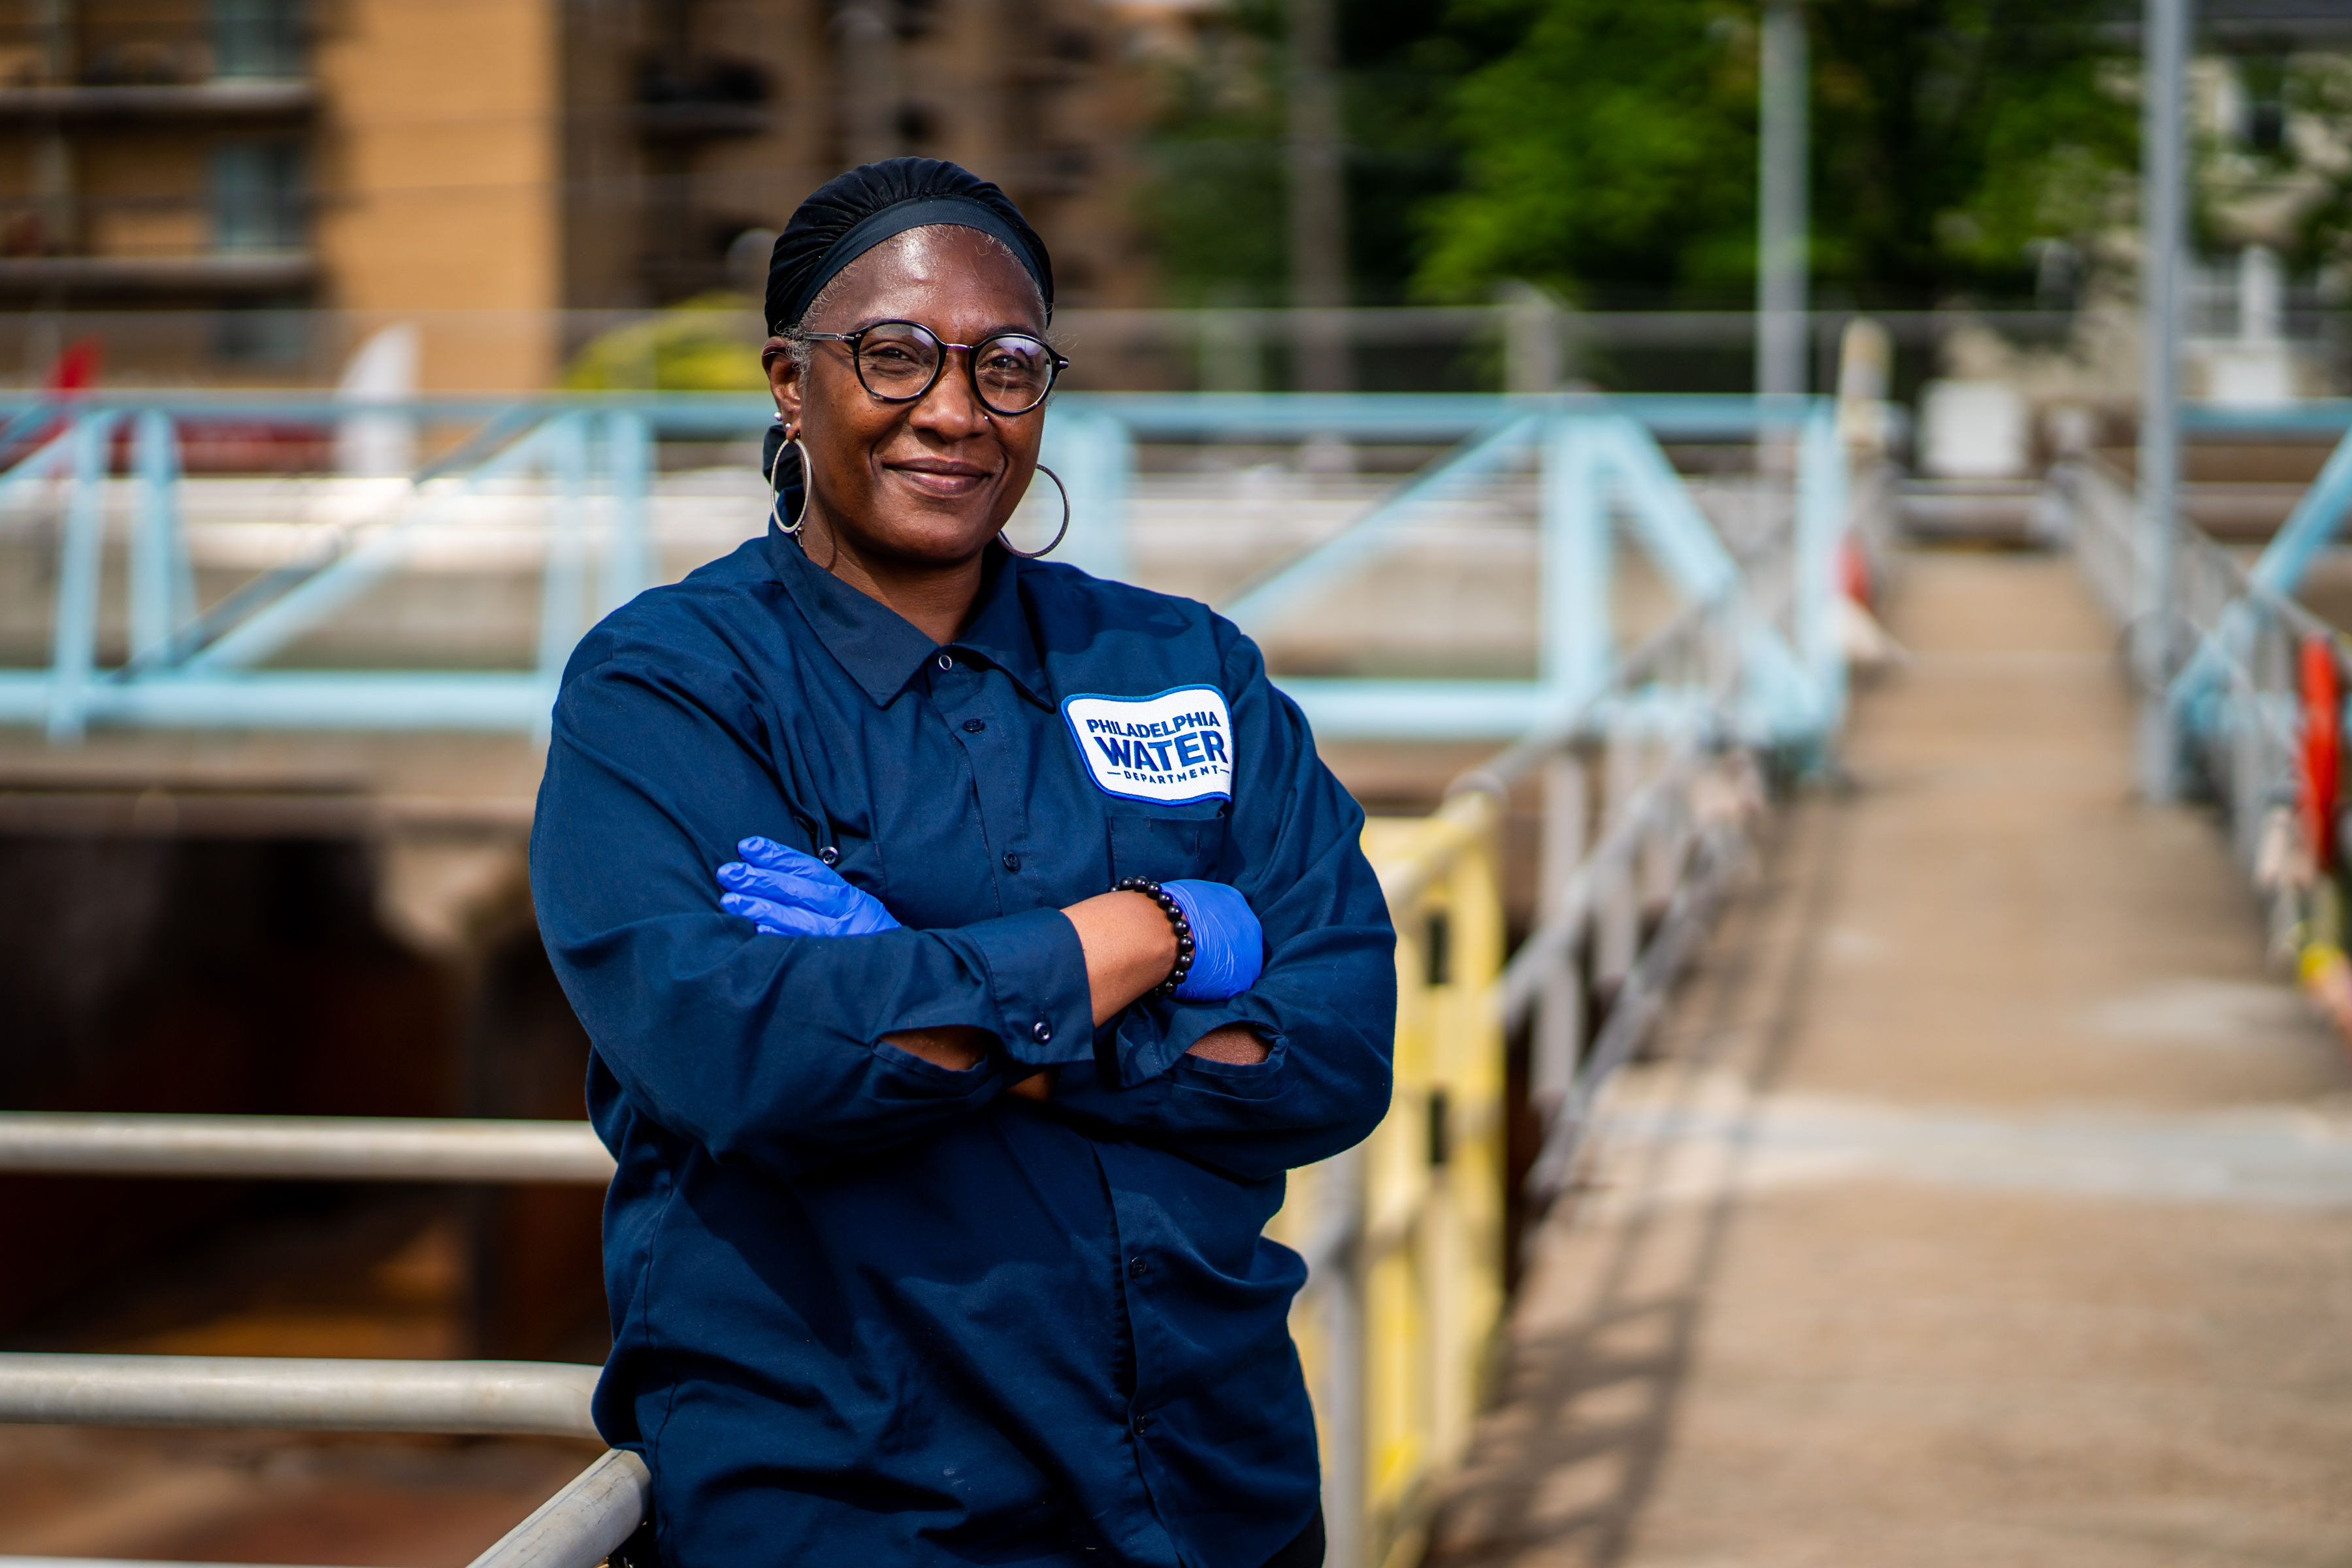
[883,650]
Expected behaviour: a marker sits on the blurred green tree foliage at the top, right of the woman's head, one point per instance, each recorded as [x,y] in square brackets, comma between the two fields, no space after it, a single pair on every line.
[1610,149]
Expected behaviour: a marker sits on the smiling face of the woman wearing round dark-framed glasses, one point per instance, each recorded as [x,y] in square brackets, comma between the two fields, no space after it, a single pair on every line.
[914,485]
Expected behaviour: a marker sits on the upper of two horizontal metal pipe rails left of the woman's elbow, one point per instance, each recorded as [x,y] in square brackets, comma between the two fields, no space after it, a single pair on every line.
[305,1148]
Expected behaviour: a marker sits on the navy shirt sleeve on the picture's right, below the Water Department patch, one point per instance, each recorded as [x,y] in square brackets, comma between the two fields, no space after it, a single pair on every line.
[1325,1003]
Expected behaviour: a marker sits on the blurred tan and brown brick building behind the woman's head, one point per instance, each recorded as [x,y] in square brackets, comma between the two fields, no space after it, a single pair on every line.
[241,189]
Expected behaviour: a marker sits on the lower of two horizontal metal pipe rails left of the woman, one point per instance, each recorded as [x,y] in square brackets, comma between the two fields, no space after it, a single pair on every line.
[300,1395]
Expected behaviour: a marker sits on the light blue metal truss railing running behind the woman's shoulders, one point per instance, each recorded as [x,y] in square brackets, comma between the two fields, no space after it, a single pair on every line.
[592,467]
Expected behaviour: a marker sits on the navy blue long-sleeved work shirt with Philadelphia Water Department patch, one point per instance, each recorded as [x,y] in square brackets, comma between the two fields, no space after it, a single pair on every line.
[869,1311]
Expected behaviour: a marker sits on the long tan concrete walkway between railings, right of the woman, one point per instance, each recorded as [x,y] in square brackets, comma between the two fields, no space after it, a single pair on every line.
[1989,1205]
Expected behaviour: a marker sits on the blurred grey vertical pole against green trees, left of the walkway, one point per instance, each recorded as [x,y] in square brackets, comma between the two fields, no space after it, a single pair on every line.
[1782,203]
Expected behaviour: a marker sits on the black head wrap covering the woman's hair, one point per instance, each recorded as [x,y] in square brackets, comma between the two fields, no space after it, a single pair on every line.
[860,210]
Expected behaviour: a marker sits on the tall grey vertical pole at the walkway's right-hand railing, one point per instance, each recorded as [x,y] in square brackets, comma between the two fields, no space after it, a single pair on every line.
[2163,222]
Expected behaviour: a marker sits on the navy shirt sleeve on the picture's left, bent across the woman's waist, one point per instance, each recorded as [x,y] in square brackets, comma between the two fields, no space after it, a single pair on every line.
[759,1047]
